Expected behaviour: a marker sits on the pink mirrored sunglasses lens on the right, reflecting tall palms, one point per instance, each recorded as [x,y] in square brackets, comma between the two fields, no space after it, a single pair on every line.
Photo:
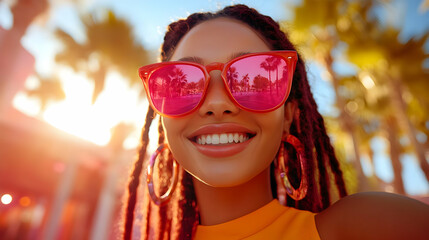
[258,82]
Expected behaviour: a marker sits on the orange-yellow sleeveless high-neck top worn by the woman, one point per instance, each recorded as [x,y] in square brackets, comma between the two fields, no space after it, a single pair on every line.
[272,221]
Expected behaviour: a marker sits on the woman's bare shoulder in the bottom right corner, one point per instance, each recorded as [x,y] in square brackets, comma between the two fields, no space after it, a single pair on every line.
[374,215]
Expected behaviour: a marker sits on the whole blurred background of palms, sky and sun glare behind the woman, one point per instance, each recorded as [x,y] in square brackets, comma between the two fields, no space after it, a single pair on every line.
[72,105]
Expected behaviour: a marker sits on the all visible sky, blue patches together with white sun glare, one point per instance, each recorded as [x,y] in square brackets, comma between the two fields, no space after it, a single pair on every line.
[149,20]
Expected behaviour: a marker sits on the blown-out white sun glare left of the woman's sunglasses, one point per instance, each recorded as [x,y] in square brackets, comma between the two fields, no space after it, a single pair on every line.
[76,114]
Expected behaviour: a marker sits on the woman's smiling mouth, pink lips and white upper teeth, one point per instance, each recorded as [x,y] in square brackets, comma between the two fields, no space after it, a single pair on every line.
[221,140]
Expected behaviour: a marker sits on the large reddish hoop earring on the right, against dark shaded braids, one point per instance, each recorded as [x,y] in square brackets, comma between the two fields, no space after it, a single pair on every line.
[296,194]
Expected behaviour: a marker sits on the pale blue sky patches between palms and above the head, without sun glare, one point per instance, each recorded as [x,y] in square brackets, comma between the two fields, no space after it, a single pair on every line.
[150,19]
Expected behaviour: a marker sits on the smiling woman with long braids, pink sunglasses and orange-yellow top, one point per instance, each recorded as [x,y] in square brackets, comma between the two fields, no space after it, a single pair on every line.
[239,120]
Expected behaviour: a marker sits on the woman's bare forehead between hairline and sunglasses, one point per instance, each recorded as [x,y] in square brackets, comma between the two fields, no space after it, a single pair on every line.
[217,39]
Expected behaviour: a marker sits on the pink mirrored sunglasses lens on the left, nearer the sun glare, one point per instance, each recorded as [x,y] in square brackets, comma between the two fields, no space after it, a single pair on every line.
[176,89]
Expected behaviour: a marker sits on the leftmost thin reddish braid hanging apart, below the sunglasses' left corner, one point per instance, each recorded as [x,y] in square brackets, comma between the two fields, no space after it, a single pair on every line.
[134,179]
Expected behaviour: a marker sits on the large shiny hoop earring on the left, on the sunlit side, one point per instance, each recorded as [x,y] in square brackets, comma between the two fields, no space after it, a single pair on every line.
[149,179]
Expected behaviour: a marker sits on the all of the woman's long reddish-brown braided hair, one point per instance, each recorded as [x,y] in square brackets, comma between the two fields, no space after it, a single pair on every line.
[178,218]
